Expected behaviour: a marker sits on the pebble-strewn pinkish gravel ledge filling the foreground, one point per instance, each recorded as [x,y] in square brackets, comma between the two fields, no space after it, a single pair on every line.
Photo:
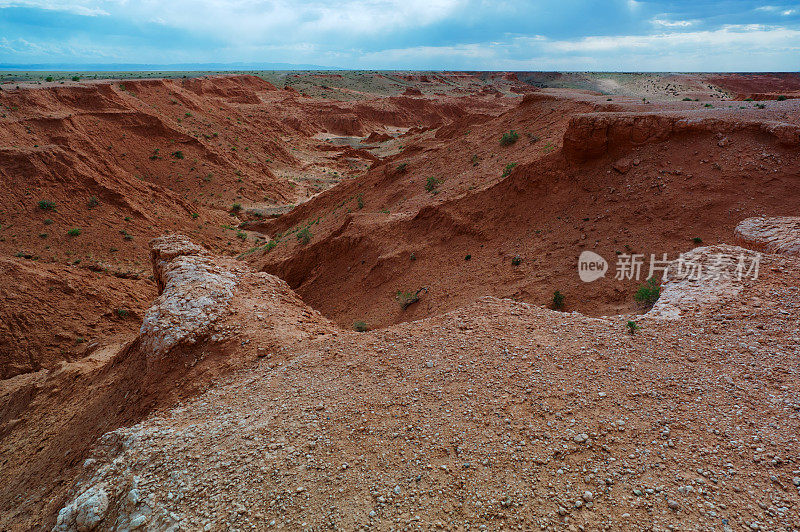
[452,423]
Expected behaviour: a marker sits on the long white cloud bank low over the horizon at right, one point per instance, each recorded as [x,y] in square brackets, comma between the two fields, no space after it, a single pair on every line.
[742,48]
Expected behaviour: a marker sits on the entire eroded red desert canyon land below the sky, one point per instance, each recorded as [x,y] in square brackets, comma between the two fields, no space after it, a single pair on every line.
[327,300]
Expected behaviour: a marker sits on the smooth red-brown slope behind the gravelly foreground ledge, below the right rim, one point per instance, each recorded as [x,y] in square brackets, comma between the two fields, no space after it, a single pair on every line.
[615,178]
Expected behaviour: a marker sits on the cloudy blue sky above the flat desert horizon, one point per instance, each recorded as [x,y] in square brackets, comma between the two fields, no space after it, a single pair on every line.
[611,35]
